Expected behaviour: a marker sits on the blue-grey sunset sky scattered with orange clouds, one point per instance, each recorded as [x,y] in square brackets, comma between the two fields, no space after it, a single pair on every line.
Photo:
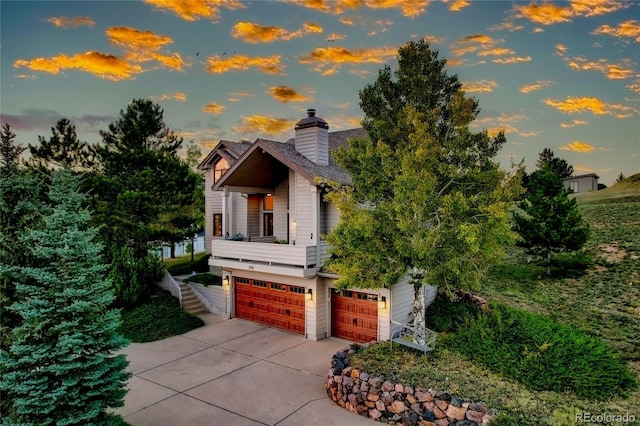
[559,75]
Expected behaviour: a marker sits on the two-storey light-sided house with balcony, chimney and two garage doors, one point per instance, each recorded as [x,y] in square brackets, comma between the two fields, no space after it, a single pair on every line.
[265,214]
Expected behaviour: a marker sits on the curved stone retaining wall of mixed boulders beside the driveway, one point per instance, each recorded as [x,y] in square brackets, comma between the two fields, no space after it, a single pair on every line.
[394,403]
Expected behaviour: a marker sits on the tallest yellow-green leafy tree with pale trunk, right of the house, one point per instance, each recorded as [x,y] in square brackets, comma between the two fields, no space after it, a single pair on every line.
[427,198]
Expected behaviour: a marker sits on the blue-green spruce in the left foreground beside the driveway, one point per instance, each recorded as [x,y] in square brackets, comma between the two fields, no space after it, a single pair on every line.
[61,367]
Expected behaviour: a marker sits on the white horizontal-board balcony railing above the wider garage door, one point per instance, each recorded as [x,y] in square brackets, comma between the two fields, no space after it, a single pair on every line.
[276,255]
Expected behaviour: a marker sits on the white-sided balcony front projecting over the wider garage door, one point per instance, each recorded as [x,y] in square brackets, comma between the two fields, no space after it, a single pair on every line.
[284,259]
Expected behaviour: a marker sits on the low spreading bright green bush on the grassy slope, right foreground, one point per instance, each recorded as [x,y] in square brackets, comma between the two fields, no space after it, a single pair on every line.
[543,354]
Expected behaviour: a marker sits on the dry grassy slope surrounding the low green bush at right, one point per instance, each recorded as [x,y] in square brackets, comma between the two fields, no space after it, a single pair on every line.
[604,302]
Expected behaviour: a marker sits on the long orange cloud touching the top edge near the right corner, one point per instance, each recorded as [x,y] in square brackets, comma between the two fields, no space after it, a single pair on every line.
[549,13]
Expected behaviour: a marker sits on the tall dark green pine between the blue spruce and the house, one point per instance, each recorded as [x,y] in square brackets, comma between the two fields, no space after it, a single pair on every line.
[142,183]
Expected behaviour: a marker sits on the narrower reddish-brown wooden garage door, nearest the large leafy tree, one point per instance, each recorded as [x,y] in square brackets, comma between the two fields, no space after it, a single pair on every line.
[354,315]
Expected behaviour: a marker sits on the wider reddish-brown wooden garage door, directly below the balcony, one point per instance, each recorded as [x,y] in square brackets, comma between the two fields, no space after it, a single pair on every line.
[273,304]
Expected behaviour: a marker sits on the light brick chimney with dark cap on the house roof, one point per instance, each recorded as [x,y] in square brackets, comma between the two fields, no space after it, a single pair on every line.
[312,138]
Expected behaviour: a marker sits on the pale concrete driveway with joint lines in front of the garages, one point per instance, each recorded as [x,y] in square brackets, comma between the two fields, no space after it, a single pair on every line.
[232,372]
